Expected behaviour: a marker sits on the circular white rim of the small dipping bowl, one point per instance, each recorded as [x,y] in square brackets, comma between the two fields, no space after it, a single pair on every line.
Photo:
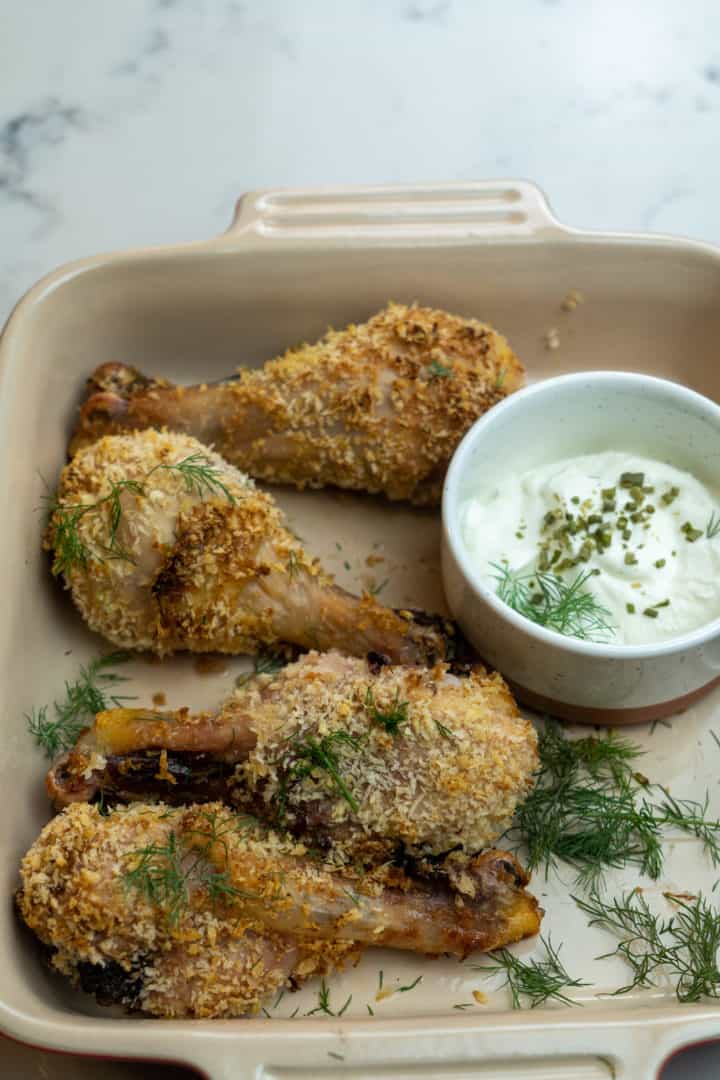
[451,507]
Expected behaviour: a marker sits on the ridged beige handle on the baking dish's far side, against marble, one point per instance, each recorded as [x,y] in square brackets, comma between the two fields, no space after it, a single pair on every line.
[491,210]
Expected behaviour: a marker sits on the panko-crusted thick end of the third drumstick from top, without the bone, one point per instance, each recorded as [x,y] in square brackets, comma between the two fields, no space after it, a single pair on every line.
[454,767]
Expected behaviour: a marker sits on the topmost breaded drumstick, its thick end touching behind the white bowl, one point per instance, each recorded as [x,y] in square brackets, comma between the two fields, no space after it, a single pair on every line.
[376,408]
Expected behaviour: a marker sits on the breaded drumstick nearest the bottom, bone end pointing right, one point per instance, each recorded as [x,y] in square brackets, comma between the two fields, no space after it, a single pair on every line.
[200,912]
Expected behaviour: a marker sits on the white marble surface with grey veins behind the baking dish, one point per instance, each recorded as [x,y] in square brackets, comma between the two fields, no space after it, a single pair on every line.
[140,123]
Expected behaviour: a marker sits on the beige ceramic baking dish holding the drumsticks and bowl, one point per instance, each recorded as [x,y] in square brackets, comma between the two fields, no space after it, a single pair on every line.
[292,264]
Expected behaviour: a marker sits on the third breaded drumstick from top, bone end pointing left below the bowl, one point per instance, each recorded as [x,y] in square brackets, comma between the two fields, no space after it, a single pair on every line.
[364,761]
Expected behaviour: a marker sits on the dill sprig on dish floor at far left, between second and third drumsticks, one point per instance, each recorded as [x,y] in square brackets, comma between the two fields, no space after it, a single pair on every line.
[58,727]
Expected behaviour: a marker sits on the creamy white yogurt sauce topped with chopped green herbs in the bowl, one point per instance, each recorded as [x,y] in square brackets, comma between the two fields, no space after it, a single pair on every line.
[641,534]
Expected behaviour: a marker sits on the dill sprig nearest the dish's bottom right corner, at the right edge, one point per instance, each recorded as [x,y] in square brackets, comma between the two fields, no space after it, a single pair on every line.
[684,947]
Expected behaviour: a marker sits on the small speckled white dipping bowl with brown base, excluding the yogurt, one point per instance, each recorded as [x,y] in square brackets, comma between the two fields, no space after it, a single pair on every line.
[565,417]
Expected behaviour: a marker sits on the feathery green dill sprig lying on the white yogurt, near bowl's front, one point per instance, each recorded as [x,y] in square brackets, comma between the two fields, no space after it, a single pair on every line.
[549,601]
